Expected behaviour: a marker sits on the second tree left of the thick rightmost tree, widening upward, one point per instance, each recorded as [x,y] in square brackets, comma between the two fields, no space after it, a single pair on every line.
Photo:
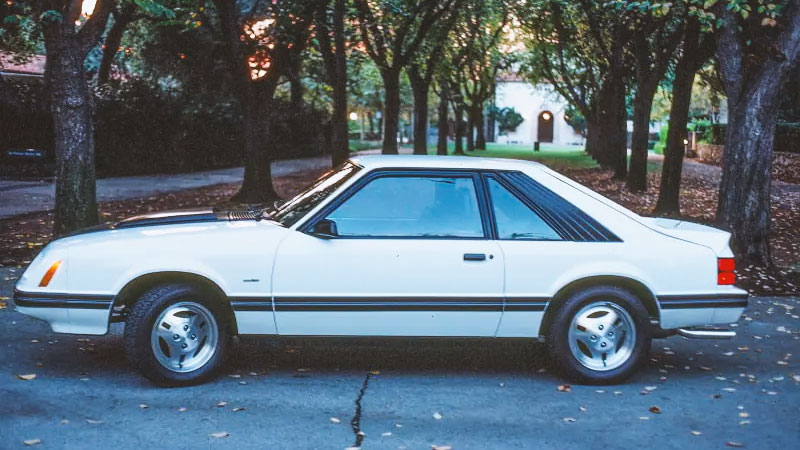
[657,34]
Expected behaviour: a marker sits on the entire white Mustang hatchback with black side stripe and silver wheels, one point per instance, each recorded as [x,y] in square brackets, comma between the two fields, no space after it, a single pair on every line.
[395,246]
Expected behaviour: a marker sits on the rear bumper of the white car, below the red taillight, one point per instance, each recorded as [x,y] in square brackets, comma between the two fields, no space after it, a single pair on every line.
[686,311]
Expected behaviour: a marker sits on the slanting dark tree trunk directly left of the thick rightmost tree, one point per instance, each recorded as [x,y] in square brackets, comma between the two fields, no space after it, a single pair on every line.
[668,203]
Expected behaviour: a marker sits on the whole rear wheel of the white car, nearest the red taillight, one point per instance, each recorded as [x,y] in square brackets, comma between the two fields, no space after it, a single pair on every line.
[600,335]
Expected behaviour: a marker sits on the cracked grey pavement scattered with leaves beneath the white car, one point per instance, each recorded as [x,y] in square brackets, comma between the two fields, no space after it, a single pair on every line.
[403,393]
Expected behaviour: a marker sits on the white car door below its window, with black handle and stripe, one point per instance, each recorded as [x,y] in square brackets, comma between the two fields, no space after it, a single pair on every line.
[429,287]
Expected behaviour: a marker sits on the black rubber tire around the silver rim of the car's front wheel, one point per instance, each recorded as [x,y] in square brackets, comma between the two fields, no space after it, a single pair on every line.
[139,327]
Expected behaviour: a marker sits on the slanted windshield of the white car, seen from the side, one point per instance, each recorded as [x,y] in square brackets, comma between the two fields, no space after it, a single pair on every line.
[293,210]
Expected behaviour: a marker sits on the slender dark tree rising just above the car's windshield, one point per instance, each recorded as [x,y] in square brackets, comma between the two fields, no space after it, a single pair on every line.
[330,27]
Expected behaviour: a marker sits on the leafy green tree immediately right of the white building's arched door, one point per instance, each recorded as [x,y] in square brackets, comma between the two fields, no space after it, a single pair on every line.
[579,47]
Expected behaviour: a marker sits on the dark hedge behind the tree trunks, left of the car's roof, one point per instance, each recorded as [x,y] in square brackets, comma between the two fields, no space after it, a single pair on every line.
[140,130]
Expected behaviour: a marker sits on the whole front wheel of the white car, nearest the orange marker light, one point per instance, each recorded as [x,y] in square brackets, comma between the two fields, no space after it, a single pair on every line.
[175,335]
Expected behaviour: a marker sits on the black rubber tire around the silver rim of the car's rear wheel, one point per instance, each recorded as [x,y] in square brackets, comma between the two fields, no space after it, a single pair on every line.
[558,340]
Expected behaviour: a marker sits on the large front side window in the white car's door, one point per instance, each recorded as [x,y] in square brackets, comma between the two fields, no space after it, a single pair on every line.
[411,206]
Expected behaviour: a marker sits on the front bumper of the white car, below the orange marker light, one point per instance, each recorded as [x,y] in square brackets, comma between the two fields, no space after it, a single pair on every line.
[67,313]
